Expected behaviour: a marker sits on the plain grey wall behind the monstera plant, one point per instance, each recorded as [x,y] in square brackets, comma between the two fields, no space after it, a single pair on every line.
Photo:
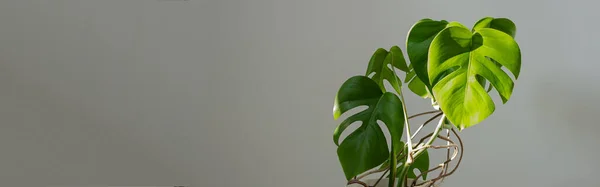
[240,92]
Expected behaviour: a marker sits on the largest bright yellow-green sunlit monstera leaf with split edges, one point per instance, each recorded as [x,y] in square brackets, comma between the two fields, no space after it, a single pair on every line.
[457,57]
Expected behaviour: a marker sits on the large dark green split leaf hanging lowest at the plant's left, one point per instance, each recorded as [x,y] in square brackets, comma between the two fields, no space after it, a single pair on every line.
[366,147]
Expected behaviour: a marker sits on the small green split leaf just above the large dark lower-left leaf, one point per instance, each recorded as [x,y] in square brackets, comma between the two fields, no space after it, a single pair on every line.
[380,64]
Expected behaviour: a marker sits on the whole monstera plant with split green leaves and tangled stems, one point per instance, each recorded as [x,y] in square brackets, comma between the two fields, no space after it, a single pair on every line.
[455,67]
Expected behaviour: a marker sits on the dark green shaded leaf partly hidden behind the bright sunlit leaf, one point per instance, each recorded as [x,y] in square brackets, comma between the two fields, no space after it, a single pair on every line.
[417,46]
